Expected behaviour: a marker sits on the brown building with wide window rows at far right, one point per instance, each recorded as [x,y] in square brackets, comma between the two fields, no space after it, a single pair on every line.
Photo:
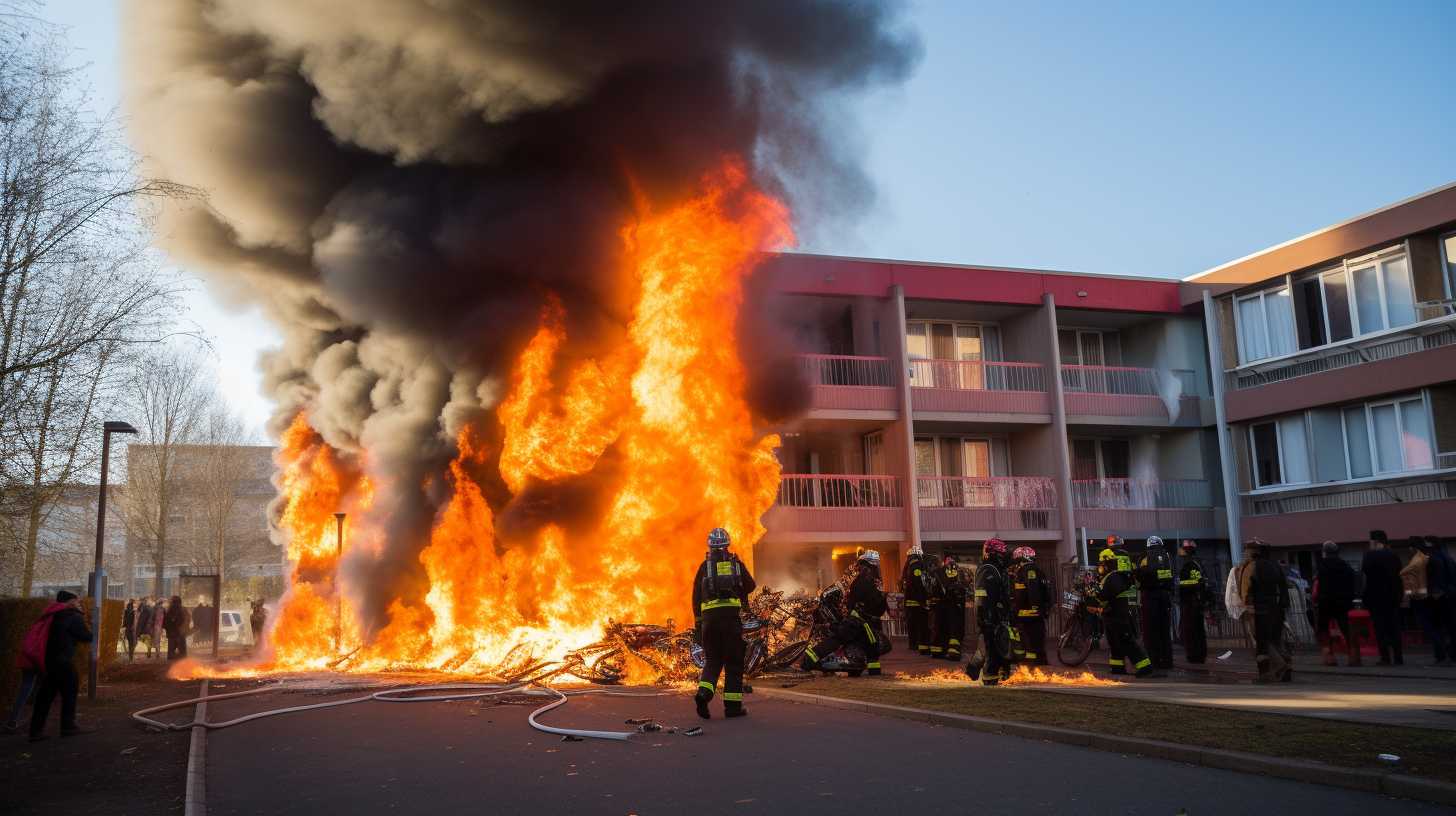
[1337,368]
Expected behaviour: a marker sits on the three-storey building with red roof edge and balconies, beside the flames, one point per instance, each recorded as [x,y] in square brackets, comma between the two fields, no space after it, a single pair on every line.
[954,404]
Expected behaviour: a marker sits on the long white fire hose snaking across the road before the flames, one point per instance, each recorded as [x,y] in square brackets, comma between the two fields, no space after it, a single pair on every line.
[456,691]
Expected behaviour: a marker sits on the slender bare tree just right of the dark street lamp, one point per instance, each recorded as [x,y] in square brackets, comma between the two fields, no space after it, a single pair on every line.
[170,400]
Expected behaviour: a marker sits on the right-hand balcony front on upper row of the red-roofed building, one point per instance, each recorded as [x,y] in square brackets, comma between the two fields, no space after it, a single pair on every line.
[1132,394]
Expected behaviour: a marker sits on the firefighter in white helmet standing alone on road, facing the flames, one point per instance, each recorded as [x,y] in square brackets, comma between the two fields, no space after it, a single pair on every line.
[720,592]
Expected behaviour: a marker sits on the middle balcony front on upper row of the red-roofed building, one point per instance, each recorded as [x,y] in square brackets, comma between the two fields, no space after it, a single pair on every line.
[978,387]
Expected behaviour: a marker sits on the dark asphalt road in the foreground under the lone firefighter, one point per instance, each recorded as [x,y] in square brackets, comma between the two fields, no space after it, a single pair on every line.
[786,758]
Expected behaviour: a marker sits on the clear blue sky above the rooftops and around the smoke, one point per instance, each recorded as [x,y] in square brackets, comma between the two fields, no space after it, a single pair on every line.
[1151,139]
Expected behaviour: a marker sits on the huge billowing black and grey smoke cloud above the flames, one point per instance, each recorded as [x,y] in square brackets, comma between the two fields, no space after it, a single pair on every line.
[401,183]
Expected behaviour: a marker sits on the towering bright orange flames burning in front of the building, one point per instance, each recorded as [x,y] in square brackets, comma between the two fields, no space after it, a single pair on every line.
[669,403]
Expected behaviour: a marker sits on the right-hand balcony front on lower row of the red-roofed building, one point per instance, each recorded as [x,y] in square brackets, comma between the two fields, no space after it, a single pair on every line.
[1144,505]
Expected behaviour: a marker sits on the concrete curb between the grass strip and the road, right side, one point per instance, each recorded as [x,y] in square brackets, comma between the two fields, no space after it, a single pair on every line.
[1299,770]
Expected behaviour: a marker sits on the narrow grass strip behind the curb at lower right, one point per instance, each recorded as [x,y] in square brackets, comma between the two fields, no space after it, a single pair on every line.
[1426,753]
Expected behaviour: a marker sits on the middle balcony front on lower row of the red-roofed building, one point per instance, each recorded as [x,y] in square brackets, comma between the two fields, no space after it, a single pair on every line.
[982,506]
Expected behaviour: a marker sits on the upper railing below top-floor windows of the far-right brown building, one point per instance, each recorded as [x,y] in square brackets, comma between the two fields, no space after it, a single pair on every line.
[1438,330]
